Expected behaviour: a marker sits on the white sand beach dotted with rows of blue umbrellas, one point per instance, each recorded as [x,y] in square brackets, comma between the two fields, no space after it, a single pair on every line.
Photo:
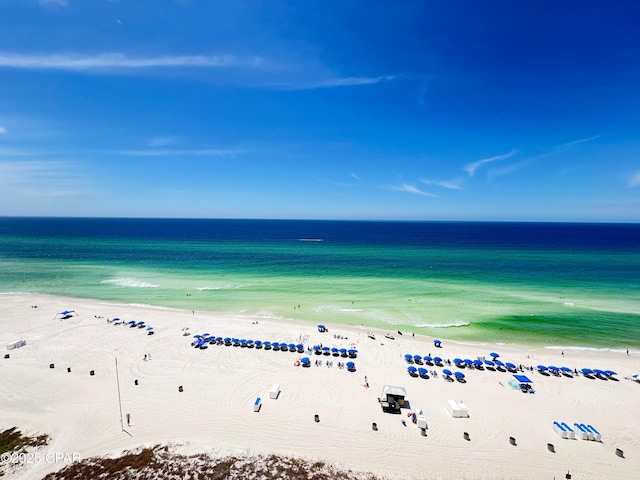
[214,412]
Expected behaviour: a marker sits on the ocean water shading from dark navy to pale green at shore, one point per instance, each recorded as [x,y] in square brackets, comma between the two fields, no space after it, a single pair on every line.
[548,284]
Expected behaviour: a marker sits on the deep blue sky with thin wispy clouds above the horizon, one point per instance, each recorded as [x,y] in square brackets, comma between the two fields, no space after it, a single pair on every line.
[423,110]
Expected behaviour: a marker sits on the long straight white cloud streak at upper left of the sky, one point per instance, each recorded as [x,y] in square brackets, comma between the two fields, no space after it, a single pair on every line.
[106,61]
